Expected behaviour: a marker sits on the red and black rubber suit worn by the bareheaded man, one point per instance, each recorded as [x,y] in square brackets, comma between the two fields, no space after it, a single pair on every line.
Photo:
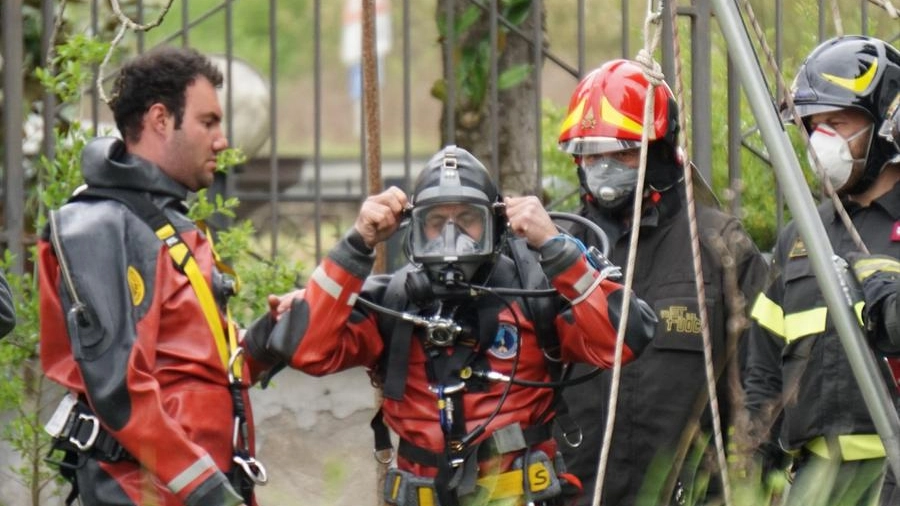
[145,362]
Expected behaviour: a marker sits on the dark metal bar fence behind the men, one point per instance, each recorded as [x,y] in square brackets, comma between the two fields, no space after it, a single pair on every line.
[311,161]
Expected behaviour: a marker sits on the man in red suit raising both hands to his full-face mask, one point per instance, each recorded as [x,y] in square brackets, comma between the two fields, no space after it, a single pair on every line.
[460,382]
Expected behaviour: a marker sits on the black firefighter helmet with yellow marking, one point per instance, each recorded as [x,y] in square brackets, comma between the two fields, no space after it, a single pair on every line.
[857,72]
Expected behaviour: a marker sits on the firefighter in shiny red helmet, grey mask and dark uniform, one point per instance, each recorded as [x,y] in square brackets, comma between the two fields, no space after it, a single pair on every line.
[662,411]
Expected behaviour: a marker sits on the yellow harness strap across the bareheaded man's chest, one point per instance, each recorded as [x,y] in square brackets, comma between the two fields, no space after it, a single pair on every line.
[182,256]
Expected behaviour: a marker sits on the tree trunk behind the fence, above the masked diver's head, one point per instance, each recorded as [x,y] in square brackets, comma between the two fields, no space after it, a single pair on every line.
[517,120]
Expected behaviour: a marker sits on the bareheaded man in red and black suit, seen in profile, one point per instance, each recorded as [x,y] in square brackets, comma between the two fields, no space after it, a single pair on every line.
[133,318]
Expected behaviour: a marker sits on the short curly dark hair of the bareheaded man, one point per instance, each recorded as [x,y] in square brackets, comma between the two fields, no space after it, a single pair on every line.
[159,76]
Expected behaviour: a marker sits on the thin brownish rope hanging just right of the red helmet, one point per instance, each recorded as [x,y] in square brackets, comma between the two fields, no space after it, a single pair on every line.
[709,365]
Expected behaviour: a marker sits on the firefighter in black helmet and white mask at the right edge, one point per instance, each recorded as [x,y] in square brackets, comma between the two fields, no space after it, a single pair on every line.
[797,371]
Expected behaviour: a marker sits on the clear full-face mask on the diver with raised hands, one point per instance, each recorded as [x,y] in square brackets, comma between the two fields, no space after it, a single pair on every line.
[451,240]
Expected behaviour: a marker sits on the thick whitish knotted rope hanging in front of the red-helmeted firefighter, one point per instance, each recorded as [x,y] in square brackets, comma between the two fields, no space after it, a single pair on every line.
[654,78]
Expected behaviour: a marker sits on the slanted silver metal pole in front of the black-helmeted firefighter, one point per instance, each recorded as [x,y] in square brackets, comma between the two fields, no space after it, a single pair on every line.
[787,168]
